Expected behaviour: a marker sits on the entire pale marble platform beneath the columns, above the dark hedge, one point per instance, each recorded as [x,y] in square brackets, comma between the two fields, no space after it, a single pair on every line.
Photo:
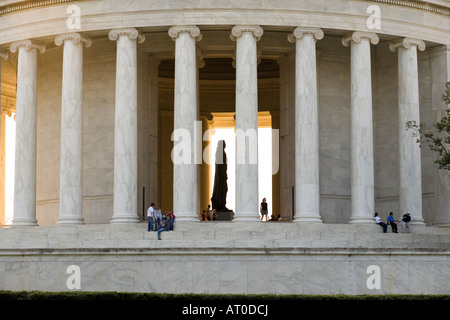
[227,257]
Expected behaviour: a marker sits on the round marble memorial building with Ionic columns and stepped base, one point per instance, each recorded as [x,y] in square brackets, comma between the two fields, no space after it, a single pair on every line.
[115,106]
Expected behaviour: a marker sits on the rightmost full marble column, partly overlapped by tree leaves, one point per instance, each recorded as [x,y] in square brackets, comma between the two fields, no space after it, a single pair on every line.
[410,171]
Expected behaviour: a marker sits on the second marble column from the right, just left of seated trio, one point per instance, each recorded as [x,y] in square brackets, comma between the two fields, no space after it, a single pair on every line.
[362,158]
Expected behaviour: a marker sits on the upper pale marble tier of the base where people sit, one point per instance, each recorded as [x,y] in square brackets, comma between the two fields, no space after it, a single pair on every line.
[223,235]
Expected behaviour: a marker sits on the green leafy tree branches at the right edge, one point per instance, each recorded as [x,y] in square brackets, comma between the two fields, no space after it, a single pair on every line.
[437,138]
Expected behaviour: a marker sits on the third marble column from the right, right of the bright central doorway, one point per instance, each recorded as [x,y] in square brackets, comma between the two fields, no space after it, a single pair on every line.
[307,193]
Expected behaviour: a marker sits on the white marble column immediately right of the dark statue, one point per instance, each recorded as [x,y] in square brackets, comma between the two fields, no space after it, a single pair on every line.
[247,202]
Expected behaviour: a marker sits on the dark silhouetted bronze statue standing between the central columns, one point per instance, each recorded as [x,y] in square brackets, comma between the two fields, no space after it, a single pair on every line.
[219,197]
